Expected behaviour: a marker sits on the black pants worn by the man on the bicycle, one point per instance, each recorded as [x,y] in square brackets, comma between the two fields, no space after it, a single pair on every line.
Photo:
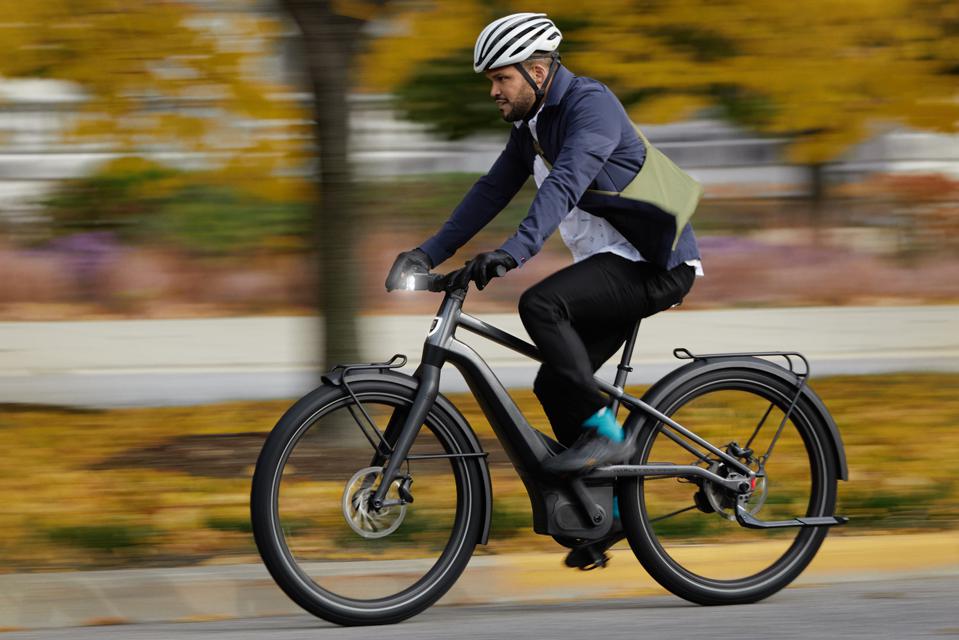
[579,317]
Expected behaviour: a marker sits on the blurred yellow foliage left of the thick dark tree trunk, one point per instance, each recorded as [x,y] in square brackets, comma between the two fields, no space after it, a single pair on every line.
[163,77]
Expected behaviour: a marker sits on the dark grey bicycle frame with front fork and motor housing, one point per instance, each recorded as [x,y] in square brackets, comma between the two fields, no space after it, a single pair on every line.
[527,447]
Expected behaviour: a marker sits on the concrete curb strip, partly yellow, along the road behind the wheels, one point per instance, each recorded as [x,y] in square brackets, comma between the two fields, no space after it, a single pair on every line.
[29,601]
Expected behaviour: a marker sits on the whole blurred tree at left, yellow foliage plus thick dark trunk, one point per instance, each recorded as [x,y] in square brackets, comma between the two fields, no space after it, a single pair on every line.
[174,76]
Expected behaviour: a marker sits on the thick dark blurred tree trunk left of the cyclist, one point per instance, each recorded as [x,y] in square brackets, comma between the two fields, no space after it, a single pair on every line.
[330,44]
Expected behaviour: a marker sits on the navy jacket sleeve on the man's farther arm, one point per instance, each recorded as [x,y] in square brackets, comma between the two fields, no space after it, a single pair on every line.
[485,199]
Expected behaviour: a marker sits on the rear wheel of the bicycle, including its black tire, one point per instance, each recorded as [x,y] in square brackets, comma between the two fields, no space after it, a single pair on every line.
[730,564]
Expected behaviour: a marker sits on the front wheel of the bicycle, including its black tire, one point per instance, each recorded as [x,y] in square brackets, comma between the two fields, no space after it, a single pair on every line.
[304,538]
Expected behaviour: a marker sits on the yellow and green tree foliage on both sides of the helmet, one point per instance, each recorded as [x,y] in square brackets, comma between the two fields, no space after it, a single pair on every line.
[825,74]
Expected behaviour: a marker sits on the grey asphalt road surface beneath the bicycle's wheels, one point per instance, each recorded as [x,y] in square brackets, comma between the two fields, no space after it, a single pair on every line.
[894,610]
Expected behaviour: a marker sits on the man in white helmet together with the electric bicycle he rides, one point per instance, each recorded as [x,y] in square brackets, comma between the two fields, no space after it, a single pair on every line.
[623,209]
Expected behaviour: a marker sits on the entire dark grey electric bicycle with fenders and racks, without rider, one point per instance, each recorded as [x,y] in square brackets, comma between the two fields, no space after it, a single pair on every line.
[576,511]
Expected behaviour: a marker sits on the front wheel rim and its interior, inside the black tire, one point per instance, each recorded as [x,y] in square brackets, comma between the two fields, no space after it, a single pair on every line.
[317,481]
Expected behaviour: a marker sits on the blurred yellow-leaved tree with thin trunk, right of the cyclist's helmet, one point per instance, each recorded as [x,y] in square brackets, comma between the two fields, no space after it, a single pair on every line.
[827,75]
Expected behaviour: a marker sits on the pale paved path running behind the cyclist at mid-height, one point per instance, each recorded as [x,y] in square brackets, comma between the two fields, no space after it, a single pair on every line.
[178,362]
